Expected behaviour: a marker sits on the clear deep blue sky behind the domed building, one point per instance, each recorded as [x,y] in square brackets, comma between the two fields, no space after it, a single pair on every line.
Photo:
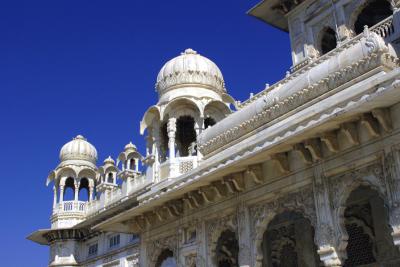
[89,67]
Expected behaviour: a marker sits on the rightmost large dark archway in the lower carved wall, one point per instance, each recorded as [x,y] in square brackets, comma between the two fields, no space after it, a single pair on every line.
[369,239]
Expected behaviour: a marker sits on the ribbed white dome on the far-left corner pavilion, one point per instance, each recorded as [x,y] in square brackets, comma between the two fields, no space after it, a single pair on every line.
[79,149]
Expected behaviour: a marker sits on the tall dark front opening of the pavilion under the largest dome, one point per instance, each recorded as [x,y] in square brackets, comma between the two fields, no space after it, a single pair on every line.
[185,136]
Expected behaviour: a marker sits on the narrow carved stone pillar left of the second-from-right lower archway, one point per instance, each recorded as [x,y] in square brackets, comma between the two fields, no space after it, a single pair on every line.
[244,234]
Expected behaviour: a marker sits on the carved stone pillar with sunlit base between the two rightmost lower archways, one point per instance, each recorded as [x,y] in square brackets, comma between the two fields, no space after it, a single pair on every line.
[325,233]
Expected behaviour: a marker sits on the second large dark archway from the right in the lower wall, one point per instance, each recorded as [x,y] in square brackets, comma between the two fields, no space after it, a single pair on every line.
[289,242]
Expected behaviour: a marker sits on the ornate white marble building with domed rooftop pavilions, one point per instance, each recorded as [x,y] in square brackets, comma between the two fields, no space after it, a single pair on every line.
[304,173]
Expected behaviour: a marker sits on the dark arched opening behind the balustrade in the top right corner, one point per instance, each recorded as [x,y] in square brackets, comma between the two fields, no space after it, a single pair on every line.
[374,12]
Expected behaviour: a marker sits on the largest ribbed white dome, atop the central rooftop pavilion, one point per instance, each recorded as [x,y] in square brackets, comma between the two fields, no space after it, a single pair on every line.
[190,69]
